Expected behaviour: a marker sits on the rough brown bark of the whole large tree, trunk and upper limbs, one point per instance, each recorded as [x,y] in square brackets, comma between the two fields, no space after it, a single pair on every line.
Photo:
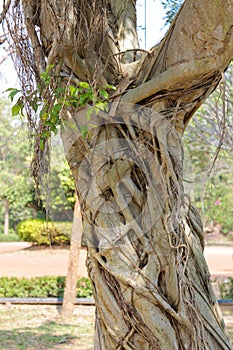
[145,240]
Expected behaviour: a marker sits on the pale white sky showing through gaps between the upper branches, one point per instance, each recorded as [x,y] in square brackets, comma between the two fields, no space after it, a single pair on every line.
[151,29]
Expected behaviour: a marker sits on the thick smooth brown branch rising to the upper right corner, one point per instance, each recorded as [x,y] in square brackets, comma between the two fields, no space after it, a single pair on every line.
[199,44]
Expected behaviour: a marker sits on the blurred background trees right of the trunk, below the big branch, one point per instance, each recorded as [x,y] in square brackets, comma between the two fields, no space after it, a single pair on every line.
[208,140]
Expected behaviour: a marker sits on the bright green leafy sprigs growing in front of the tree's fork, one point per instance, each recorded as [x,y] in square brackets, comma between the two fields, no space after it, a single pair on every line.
[50,99]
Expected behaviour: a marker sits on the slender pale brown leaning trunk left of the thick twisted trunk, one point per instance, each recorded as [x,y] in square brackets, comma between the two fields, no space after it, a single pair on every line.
[72,271]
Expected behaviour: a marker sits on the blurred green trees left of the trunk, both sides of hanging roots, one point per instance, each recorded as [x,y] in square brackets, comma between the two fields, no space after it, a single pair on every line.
[17,190]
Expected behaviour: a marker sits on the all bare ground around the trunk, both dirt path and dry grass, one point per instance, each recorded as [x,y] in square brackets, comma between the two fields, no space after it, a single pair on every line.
[28,327]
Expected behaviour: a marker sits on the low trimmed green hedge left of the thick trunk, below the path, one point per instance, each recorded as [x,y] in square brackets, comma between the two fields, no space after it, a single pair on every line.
[41,287]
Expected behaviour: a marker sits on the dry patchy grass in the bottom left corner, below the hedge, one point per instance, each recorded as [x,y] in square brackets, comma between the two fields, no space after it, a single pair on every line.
[41,328]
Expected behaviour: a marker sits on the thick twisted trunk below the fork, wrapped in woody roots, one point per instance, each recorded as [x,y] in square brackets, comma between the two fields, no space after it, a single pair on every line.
[145,240]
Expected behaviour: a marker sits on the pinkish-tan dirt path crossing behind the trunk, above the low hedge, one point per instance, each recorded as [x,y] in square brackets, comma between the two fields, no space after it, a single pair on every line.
[22,260]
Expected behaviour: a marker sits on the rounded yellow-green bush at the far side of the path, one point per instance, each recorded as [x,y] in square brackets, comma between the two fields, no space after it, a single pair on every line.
[41,232]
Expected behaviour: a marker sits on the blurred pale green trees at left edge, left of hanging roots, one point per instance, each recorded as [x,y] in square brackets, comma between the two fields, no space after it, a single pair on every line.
[16,186]
